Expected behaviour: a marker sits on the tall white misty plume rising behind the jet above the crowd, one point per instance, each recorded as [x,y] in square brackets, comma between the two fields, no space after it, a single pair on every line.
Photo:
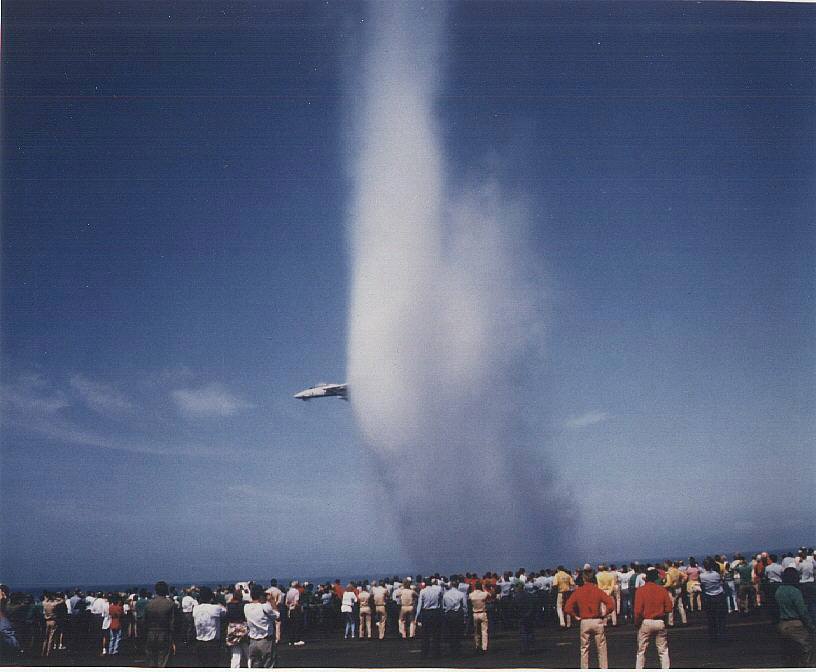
[446,321]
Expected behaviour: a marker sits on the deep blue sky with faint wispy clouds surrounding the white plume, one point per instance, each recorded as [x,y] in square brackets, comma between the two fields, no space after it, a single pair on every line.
[175,265]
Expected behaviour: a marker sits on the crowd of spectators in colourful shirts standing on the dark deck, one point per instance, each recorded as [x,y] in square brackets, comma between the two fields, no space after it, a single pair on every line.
[242,624]
